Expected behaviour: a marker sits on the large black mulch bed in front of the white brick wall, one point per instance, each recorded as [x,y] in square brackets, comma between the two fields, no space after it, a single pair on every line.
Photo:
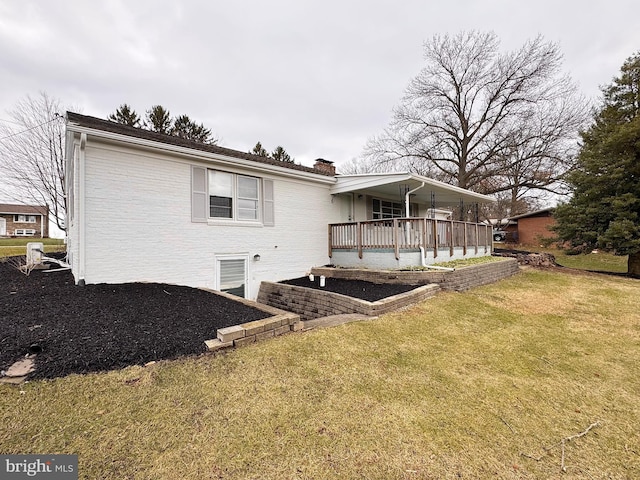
[105,327]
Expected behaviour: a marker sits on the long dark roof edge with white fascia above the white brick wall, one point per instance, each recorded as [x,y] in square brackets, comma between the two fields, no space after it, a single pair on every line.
[225,155]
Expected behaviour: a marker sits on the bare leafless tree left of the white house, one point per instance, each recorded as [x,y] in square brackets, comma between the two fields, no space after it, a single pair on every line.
[32,154]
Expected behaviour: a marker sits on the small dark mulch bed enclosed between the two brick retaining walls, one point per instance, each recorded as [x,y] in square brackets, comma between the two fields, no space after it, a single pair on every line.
[353,288]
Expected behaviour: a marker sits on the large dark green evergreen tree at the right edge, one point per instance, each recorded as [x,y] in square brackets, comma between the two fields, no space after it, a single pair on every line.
[604,211]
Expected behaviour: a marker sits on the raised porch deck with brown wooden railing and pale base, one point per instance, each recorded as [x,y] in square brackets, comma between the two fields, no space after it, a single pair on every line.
[371,243]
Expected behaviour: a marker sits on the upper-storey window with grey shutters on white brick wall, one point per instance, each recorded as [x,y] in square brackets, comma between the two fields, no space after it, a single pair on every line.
[220,195]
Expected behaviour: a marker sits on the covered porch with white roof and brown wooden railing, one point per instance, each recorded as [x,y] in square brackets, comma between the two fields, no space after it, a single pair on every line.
[400,220]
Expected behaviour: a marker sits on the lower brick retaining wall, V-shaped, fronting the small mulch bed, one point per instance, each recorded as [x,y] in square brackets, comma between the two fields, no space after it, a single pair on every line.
[311,303]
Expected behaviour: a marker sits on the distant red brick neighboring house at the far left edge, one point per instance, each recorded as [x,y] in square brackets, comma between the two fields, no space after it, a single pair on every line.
[24,220]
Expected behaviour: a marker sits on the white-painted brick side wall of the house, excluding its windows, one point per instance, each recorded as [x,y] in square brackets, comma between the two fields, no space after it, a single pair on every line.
[137,210]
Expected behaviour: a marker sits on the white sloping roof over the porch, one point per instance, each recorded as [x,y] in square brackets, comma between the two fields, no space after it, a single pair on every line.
[388,185]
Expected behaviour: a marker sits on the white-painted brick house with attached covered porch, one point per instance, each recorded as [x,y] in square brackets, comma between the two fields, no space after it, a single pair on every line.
[151,207]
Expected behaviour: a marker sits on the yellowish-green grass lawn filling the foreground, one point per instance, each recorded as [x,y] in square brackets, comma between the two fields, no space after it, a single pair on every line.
[482,384]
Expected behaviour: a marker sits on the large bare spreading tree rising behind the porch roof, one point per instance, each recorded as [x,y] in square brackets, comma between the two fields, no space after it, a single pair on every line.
[485,120]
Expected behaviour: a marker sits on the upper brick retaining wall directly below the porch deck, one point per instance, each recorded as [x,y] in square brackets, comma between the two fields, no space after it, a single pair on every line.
[459,280]
